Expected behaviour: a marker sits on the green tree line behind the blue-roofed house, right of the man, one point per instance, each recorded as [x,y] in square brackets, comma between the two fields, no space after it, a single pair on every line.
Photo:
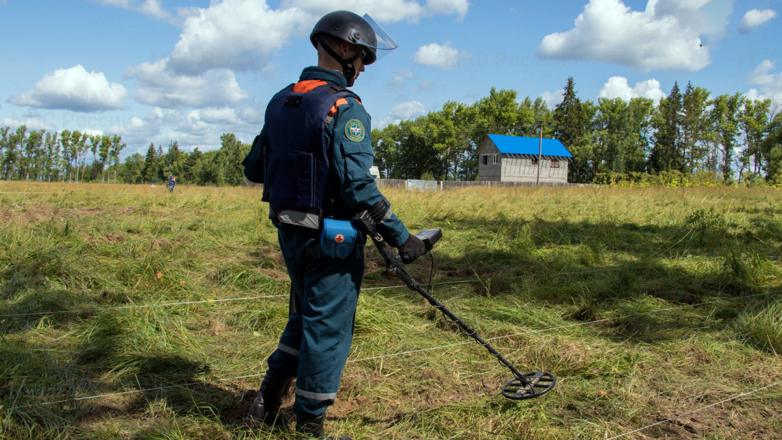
[729,136]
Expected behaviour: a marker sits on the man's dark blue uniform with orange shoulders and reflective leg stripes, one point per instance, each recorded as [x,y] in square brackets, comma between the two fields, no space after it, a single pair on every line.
[316,342]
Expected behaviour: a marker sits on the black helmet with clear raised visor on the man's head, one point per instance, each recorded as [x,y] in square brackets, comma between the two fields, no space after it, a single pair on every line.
[350,27]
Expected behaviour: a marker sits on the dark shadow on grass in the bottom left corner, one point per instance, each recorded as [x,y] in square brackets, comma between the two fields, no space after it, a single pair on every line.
[48,391]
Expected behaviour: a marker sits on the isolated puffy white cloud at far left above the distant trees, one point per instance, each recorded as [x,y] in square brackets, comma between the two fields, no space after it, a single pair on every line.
[73,89]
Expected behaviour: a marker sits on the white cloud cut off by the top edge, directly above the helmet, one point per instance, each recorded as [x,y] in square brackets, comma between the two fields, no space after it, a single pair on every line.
[383,10]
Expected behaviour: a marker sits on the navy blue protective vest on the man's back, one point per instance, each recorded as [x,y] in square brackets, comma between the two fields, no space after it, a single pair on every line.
[297,157]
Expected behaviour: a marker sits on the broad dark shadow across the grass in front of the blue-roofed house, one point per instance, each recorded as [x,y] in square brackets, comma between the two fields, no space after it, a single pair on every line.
[600,270]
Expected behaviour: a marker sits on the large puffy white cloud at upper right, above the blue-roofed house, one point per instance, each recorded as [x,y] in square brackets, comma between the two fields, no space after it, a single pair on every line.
[667,35]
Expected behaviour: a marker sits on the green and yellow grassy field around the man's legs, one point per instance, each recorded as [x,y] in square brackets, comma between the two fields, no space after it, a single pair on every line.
[121,292]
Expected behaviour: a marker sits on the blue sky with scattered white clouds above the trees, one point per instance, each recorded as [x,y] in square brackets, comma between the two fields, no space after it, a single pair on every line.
[163,70]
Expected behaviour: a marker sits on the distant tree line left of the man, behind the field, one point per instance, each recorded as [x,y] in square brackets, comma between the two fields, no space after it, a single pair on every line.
[72,156]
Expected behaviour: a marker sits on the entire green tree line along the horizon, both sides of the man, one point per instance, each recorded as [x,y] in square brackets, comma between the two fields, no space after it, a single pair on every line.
[729,137]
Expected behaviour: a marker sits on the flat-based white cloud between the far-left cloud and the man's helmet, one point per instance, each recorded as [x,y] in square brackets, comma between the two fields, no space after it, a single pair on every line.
[161,87]
